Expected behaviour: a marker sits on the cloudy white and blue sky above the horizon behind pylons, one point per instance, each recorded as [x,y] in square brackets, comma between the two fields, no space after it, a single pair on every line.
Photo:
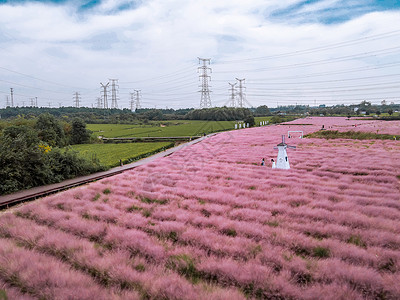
[289,51]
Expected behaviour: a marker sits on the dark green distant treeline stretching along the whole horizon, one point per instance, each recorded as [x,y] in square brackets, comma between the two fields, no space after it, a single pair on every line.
[140,116]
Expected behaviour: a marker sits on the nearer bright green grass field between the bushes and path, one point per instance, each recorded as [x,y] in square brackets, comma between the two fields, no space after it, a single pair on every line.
[110,154]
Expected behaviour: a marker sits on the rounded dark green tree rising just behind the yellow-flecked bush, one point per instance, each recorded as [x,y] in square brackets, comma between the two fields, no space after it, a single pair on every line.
[50,130]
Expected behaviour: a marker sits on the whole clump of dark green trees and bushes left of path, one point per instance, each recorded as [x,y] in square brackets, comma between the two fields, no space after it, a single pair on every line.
[31,153]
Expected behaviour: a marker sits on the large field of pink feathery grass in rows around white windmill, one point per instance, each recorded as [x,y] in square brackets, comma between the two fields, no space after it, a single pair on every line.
[208,222]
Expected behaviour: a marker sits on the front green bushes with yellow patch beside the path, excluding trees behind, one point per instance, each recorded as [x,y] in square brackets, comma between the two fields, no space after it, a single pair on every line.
[26,161]
